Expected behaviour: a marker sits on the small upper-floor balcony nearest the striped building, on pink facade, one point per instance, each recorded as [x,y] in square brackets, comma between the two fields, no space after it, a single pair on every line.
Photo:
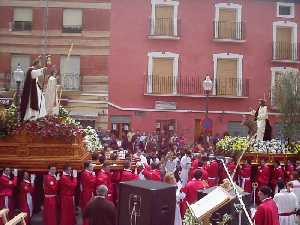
[163,28]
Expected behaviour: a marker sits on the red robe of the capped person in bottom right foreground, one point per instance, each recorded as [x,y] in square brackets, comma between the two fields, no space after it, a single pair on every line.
[267,213]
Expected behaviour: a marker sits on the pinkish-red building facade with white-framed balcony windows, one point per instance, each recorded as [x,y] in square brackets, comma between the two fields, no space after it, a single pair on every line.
[158,63]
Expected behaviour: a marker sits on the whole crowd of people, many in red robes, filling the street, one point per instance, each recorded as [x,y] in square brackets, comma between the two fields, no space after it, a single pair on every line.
[152,157]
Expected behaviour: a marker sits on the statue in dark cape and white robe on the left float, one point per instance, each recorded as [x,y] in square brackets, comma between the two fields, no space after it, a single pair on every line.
[32,99]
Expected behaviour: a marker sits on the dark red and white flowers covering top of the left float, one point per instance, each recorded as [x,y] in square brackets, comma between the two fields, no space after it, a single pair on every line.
[60,126]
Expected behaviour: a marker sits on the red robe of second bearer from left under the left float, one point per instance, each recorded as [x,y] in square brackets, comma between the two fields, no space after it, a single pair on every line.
[25,199]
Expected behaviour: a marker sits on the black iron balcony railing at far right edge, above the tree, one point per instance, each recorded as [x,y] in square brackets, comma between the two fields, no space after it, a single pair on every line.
[286,51]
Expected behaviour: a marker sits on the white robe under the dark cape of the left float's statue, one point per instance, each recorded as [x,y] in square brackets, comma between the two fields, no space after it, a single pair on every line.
[32,114]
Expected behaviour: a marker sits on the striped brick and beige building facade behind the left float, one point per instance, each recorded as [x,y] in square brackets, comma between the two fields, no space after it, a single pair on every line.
[82,24]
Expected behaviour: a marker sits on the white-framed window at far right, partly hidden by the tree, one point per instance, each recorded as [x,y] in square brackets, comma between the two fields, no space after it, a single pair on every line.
[277,74]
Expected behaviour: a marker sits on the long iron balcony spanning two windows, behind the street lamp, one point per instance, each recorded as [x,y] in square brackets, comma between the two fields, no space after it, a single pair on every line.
[191,86]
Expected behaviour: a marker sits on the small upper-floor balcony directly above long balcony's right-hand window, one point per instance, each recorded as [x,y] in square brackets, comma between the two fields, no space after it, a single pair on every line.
[229,31]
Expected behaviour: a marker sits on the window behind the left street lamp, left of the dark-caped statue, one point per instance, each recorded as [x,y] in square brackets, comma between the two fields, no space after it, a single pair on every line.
[24,61]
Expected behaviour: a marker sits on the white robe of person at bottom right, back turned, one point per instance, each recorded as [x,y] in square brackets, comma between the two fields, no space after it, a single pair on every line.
[286,203]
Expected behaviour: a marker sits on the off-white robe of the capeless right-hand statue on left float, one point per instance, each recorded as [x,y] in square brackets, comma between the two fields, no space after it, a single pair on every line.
[51,99]
